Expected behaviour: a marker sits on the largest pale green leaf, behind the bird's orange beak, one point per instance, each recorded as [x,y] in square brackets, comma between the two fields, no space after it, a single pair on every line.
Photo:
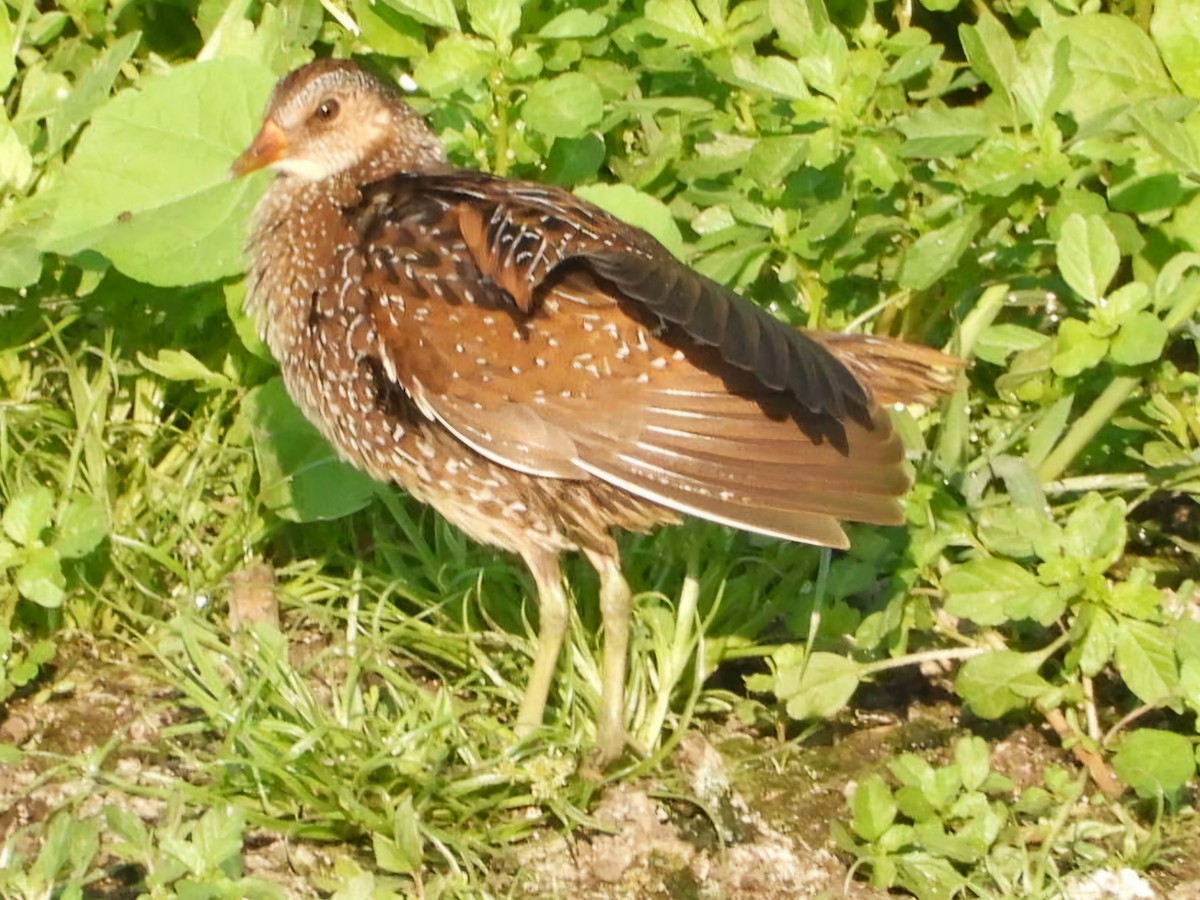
[149,185]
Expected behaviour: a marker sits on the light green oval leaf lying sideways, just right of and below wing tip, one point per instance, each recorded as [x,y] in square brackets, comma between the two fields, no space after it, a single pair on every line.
[993,591]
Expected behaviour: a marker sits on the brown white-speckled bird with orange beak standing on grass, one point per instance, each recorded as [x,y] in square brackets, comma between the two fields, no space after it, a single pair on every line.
[543,374]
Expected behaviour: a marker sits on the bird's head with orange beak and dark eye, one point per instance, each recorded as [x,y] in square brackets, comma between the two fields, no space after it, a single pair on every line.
[333,117]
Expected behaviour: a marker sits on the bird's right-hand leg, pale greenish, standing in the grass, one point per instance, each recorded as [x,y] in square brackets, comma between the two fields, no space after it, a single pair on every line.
[615,611]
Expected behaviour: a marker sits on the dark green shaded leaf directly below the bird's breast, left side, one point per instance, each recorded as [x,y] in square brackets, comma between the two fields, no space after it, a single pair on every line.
[302,477]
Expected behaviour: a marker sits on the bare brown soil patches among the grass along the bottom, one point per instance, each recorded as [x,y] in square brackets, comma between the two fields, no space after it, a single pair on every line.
[758,827]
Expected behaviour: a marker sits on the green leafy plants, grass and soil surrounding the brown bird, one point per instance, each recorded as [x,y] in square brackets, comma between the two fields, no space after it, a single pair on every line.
[231,667]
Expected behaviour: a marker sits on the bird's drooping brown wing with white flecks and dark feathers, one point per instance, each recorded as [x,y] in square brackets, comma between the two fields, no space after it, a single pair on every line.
[561,343]
